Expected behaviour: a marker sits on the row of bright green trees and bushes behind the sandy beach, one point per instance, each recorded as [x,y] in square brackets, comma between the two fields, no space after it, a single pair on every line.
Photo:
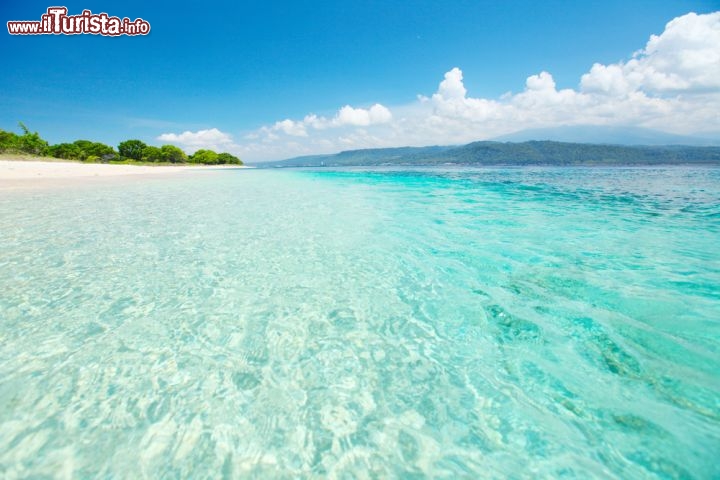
[128,151]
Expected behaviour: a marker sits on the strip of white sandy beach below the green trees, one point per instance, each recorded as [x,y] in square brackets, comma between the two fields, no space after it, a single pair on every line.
[30,173]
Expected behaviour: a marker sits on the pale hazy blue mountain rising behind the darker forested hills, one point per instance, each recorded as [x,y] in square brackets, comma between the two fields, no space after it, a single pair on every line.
[627,135]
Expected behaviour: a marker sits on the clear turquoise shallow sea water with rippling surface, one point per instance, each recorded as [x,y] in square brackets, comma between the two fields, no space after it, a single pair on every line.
[450,323]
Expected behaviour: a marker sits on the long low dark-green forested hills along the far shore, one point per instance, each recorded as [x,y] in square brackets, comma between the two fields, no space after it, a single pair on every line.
[525,153]
